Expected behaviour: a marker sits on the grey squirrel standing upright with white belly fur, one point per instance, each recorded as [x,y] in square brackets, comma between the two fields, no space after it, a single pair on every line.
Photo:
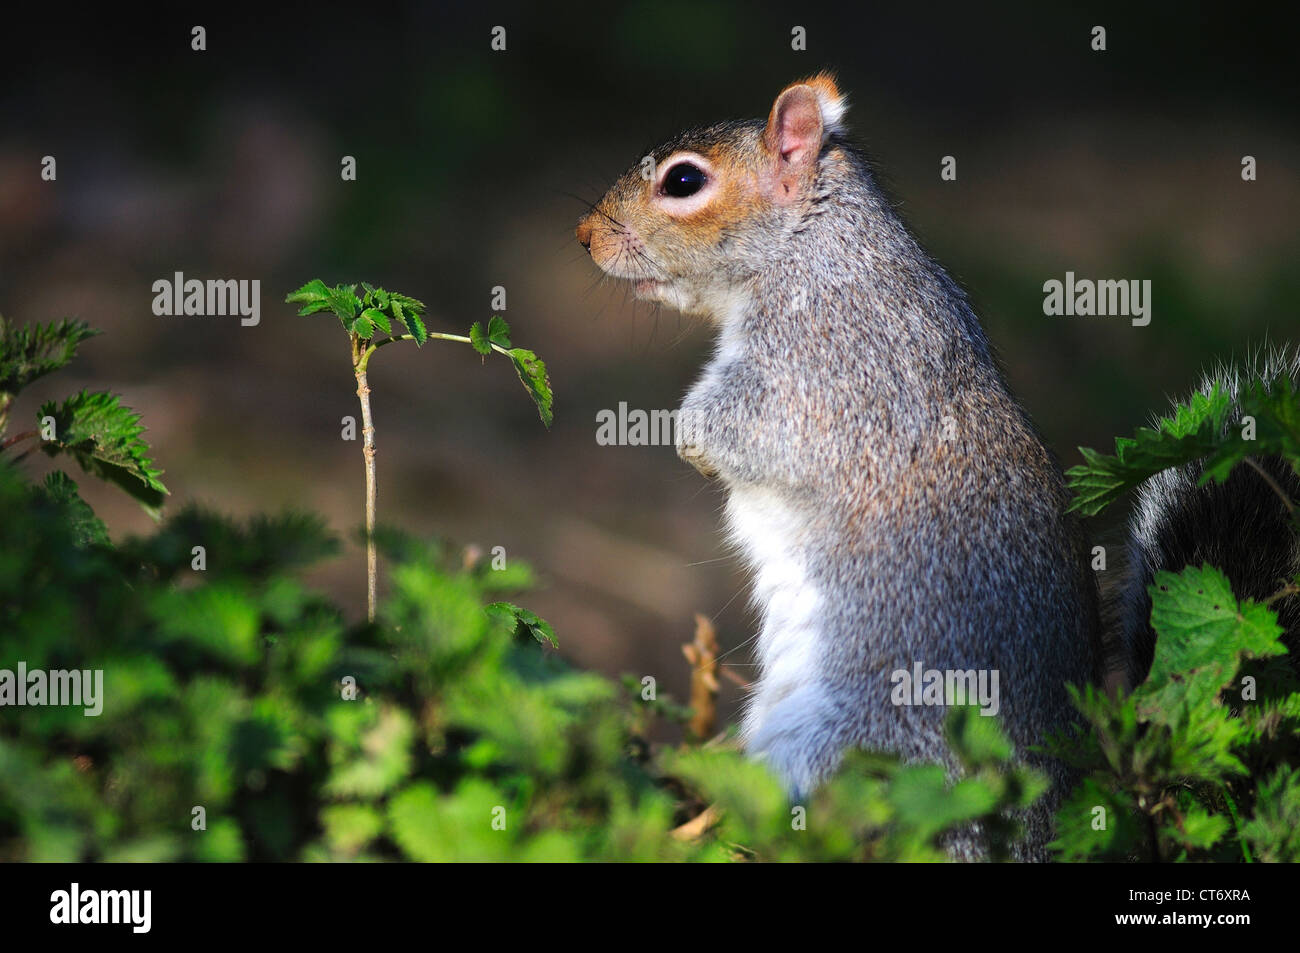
[892,499]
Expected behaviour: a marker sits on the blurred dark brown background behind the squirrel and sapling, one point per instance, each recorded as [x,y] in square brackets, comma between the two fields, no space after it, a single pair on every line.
[473,170]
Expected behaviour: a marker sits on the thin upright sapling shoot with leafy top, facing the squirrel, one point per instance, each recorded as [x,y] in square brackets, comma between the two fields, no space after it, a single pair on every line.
[376,313]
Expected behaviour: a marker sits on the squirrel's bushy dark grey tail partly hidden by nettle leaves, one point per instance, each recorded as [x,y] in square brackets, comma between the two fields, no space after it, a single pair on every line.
[1242,527]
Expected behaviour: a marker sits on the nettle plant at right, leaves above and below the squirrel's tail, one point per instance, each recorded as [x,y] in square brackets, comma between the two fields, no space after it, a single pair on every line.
[1202,763]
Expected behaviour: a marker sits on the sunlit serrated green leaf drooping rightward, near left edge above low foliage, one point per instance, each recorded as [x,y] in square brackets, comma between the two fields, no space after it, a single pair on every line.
[105,439]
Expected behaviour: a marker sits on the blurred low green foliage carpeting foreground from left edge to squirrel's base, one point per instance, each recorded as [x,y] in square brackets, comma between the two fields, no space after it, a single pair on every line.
[441,733]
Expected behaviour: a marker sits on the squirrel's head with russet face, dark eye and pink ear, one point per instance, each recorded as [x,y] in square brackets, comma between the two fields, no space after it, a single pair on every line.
[707,211]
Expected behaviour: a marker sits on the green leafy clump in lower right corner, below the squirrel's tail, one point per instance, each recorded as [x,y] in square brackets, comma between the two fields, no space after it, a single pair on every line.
[1175,770]
